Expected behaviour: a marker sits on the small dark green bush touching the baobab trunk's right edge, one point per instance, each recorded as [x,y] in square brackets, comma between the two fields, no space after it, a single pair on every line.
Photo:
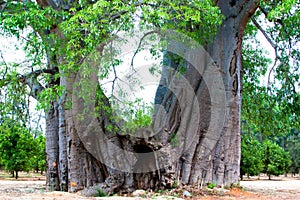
[251,156]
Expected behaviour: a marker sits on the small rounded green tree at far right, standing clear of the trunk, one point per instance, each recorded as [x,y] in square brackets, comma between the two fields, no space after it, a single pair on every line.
[276,160]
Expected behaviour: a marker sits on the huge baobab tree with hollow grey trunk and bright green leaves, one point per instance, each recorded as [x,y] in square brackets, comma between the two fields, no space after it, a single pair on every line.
[84,149]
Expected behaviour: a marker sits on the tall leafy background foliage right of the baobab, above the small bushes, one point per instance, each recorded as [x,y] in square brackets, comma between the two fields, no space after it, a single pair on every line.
[270,103]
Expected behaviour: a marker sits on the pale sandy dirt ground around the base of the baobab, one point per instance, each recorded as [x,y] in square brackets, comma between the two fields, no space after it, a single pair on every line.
[32,187]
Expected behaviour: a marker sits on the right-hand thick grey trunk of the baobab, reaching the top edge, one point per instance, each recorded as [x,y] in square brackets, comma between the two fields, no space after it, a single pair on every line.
[213,154]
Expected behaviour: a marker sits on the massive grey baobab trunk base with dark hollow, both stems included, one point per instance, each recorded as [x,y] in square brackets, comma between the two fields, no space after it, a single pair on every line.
[210,149]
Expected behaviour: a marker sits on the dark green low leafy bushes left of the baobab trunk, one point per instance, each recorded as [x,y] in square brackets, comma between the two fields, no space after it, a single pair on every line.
[19,150]
